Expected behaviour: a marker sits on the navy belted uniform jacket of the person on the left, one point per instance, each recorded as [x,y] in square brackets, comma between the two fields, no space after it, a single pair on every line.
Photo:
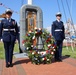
[8,35]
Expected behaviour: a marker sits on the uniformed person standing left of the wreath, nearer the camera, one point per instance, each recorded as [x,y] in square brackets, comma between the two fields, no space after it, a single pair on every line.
[8,31]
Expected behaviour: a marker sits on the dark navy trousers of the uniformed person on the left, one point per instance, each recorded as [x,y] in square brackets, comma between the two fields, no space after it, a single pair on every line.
[9,46]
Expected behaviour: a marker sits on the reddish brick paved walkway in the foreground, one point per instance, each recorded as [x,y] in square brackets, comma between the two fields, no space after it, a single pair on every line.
[24,67]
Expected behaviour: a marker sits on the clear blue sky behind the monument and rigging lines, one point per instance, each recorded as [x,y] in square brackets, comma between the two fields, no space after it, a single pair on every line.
[49,8]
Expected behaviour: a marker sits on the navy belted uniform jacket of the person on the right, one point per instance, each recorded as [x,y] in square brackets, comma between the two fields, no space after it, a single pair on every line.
[58,30]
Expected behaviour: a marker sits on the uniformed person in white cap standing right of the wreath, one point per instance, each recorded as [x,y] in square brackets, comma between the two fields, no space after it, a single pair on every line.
[59,35]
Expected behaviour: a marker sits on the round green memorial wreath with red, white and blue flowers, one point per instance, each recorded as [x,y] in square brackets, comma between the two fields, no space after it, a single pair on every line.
[36,55]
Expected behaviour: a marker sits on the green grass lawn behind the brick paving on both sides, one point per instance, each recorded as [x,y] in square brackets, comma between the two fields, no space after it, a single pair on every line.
[65,52]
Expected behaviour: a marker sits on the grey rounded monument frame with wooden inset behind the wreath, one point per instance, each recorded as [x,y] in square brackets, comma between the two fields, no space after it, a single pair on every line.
[27,23]
